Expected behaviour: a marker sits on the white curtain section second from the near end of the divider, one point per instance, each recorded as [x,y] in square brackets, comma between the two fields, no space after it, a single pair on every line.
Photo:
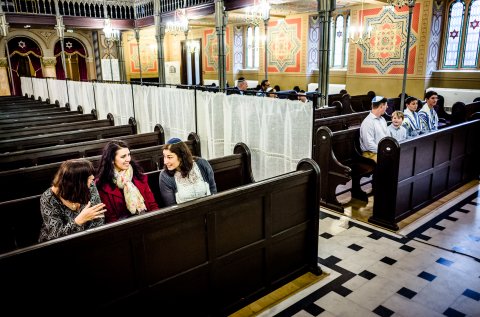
[172,108]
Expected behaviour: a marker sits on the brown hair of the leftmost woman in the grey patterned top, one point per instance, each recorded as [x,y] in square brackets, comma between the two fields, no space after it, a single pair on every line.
[71,180]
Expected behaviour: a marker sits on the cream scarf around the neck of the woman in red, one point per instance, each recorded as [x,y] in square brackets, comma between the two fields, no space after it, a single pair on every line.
[133,199]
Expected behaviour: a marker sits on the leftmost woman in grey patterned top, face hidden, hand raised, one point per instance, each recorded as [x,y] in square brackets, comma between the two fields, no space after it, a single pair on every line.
[72,204]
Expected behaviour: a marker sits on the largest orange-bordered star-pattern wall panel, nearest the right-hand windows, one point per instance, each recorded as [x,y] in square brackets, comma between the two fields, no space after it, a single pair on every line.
[384,52]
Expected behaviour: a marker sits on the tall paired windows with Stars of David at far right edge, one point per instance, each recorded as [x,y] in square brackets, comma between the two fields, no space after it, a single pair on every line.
[462,35]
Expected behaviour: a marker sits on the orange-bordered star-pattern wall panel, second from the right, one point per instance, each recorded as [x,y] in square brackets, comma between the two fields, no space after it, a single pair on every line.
[284,45]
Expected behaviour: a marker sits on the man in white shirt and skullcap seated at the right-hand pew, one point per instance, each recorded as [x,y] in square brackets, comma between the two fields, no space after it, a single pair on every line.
[374,128]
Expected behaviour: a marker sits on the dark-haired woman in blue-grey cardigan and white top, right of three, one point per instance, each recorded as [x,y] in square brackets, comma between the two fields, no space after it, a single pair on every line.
[184,177]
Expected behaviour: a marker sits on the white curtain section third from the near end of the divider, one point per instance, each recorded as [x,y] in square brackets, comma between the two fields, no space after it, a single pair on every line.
[115,99]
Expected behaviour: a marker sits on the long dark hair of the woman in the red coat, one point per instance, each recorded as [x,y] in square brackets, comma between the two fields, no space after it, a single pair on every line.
[106,170]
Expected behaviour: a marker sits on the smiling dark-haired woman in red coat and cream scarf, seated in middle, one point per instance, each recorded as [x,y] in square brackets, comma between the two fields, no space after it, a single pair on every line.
[122,186]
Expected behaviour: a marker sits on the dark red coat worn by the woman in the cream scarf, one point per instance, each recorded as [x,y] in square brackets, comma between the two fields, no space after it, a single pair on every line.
[114,200]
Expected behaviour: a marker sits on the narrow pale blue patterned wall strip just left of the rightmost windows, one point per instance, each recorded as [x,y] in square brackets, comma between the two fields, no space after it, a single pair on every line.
[435,37]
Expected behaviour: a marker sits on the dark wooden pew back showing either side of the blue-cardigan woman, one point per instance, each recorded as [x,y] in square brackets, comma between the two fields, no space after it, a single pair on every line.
[230,171]
